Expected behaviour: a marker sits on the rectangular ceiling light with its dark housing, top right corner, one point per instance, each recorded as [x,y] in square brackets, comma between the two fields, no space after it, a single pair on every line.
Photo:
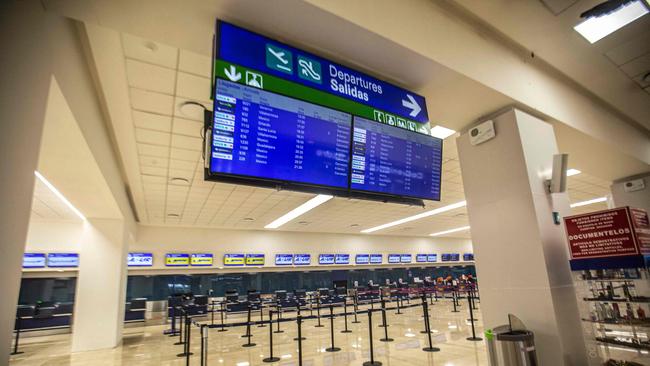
[610,16]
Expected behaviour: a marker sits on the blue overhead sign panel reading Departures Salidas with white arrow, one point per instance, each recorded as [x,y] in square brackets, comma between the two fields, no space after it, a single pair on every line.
[249,49]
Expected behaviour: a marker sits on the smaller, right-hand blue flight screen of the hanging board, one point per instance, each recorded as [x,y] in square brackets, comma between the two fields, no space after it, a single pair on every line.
[390,160]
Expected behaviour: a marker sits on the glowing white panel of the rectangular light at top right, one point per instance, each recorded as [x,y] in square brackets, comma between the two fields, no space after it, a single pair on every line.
[597,28]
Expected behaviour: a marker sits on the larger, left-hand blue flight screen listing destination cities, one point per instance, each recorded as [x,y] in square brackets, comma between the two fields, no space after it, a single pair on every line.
[265,135]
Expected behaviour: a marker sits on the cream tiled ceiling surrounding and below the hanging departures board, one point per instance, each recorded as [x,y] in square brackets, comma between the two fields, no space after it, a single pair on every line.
[169,143]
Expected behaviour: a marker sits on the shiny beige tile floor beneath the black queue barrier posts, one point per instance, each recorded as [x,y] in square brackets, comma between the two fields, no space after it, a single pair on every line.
[146,345]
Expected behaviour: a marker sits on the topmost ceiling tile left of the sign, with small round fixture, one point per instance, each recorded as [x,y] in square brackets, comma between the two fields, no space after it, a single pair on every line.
[149,51]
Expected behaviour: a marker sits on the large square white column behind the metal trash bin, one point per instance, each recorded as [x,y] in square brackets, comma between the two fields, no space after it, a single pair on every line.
[521,256]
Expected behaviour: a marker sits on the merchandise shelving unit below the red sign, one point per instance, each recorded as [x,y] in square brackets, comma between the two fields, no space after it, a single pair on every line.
[615,311]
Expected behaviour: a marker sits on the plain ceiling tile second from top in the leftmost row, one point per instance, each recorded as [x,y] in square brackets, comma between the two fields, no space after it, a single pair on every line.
[150,77]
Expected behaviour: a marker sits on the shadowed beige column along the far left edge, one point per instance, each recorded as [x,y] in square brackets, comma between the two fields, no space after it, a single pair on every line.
[25,75]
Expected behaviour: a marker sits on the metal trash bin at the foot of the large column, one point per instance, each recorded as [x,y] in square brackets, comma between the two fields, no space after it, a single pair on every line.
[508,346]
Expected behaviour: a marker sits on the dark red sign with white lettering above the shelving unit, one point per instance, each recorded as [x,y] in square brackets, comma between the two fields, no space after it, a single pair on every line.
[617,232]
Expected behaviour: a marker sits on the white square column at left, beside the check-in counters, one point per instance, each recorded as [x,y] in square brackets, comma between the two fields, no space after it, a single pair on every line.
[101,286]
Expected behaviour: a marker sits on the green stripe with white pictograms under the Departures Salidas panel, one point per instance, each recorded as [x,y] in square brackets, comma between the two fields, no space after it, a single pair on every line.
[246,76]
